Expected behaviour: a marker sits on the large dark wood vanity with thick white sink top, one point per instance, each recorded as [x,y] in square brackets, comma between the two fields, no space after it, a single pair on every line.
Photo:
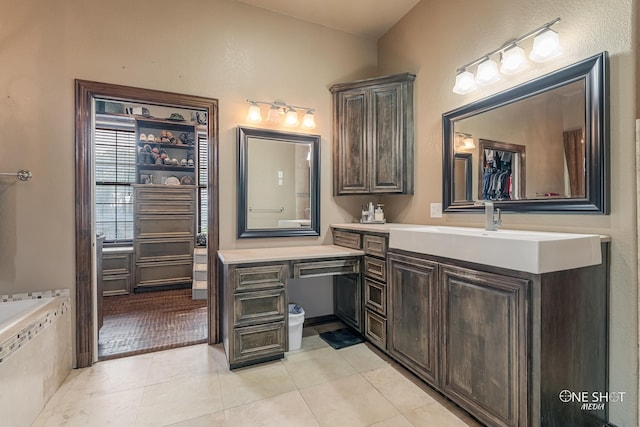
[502,343]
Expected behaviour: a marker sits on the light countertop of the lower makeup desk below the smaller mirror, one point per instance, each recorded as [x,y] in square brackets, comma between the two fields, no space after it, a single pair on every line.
[239,256]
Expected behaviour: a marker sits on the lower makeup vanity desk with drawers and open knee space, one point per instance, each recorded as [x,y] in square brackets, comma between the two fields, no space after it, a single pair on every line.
[254,294]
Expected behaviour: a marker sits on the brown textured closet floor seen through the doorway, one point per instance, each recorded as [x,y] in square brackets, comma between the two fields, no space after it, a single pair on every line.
[151,321]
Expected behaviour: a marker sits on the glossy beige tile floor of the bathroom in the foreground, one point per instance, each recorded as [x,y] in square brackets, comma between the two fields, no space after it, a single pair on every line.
[192,387]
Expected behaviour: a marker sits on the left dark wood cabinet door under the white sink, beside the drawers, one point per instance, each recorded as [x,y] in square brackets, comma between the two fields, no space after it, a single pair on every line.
[413,314]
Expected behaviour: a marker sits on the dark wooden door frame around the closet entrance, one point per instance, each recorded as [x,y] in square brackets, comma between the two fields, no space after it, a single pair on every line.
[85,92]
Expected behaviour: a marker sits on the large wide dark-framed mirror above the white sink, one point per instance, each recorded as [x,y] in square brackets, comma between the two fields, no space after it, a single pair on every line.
[559,121]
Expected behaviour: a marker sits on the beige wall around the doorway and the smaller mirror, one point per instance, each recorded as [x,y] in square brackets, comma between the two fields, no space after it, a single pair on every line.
[214,48]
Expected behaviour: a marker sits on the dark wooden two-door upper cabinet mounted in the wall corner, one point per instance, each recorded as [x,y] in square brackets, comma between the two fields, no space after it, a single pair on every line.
[373,135]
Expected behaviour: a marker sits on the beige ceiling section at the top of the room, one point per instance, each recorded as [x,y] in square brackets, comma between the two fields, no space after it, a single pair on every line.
[366,18]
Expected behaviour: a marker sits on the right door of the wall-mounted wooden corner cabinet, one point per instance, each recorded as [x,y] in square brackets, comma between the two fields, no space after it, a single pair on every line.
[386,159]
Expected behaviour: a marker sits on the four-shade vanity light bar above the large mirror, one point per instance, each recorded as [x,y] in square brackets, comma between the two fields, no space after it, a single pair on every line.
[546,46]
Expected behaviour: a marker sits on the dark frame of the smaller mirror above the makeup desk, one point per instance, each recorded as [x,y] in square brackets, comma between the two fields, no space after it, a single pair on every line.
[244,133]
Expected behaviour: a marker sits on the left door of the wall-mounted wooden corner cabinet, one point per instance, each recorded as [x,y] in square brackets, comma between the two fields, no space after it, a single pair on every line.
[351,156]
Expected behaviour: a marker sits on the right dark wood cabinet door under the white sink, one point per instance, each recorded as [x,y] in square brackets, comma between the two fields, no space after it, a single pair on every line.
[484,344]
